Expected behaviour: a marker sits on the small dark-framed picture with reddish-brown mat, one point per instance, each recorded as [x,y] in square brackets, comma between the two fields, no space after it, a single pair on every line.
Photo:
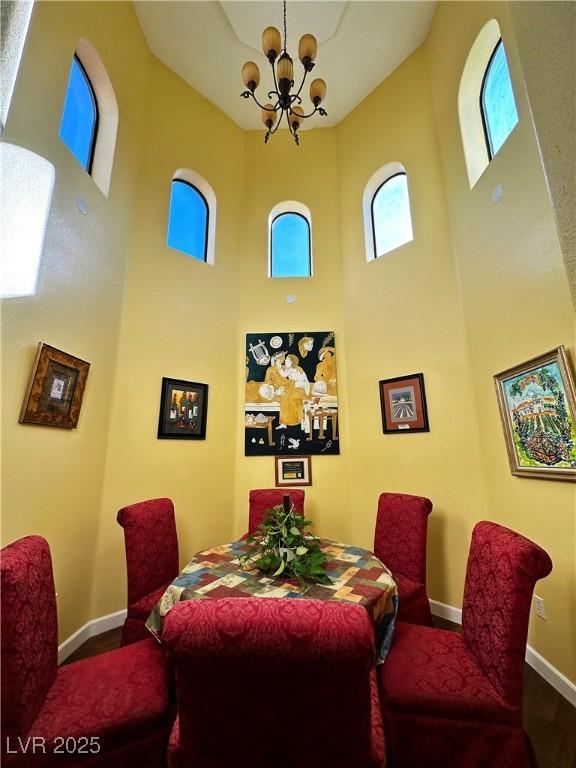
[403,403]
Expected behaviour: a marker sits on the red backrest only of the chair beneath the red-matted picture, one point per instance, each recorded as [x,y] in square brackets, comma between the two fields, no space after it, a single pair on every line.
[400,534]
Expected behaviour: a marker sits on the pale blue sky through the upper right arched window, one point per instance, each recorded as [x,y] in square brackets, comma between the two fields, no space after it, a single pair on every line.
[498,105]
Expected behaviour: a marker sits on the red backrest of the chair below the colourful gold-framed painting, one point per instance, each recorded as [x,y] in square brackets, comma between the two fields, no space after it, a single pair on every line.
[502,569]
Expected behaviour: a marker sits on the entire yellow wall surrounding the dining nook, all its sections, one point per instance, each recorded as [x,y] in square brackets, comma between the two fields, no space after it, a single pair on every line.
[480,288]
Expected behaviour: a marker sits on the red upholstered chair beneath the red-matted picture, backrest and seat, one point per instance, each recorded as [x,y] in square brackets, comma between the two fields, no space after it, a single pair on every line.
[400,542]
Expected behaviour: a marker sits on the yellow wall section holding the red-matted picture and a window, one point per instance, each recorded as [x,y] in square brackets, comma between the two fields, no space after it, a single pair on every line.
[403,316]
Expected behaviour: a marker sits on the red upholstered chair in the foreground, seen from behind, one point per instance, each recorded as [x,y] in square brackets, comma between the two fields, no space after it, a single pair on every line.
[264,682]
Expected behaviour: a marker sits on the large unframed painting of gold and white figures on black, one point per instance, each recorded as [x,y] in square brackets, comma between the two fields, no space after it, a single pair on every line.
[291,404]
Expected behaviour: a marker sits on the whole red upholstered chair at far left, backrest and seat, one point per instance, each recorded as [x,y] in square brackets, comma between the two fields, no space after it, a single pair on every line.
[112,708]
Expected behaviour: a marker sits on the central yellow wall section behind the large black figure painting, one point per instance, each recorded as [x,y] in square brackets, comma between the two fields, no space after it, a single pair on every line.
[308,174]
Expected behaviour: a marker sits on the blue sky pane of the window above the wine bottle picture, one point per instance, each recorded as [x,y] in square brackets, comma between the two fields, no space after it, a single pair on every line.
[188,220]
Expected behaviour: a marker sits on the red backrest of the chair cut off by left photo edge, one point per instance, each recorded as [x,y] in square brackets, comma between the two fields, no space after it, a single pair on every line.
[29,638]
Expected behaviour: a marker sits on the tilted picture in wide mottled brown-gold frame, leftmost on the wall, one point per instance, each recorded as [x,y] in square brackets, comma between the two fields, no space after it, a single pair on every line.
[56,388]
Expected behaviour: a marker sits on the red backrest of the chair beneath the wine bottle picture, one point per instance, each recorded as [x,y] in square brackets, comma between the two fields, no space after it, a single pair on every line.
[151,546]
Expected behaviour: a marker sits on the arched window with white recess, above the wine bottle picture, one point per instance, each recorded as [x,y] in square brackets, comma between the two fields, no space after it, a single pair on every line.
[191,217]
